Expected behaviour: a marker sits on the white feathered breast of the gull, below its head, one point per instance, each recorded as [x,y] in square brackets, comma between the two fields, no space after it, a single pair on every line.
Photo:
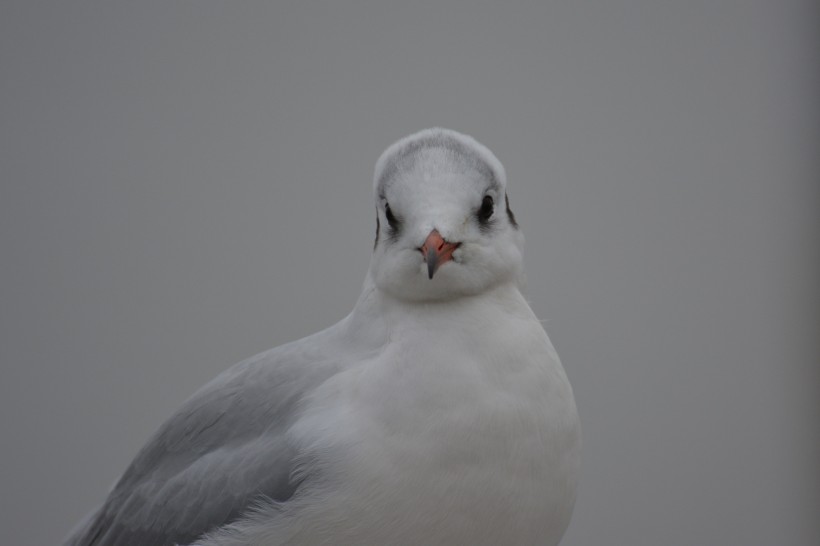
[462,429]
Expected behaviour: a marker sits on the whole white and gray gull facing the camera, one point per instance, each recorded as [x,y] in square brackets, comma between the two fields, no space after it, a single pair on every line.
[437,412]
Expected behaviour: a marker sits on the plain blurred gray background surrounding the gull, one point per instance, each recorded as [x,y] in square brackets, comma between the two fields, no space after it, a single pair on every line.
[185,184]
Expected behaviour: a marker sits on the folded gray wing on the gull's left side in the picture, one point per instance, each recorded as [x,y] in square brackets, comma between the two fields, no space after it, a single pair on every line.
[222,452]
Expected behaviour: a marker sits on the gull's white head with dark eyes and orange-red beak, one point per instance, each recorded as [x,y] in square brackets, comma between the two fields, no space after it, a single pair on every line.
[444,226]
